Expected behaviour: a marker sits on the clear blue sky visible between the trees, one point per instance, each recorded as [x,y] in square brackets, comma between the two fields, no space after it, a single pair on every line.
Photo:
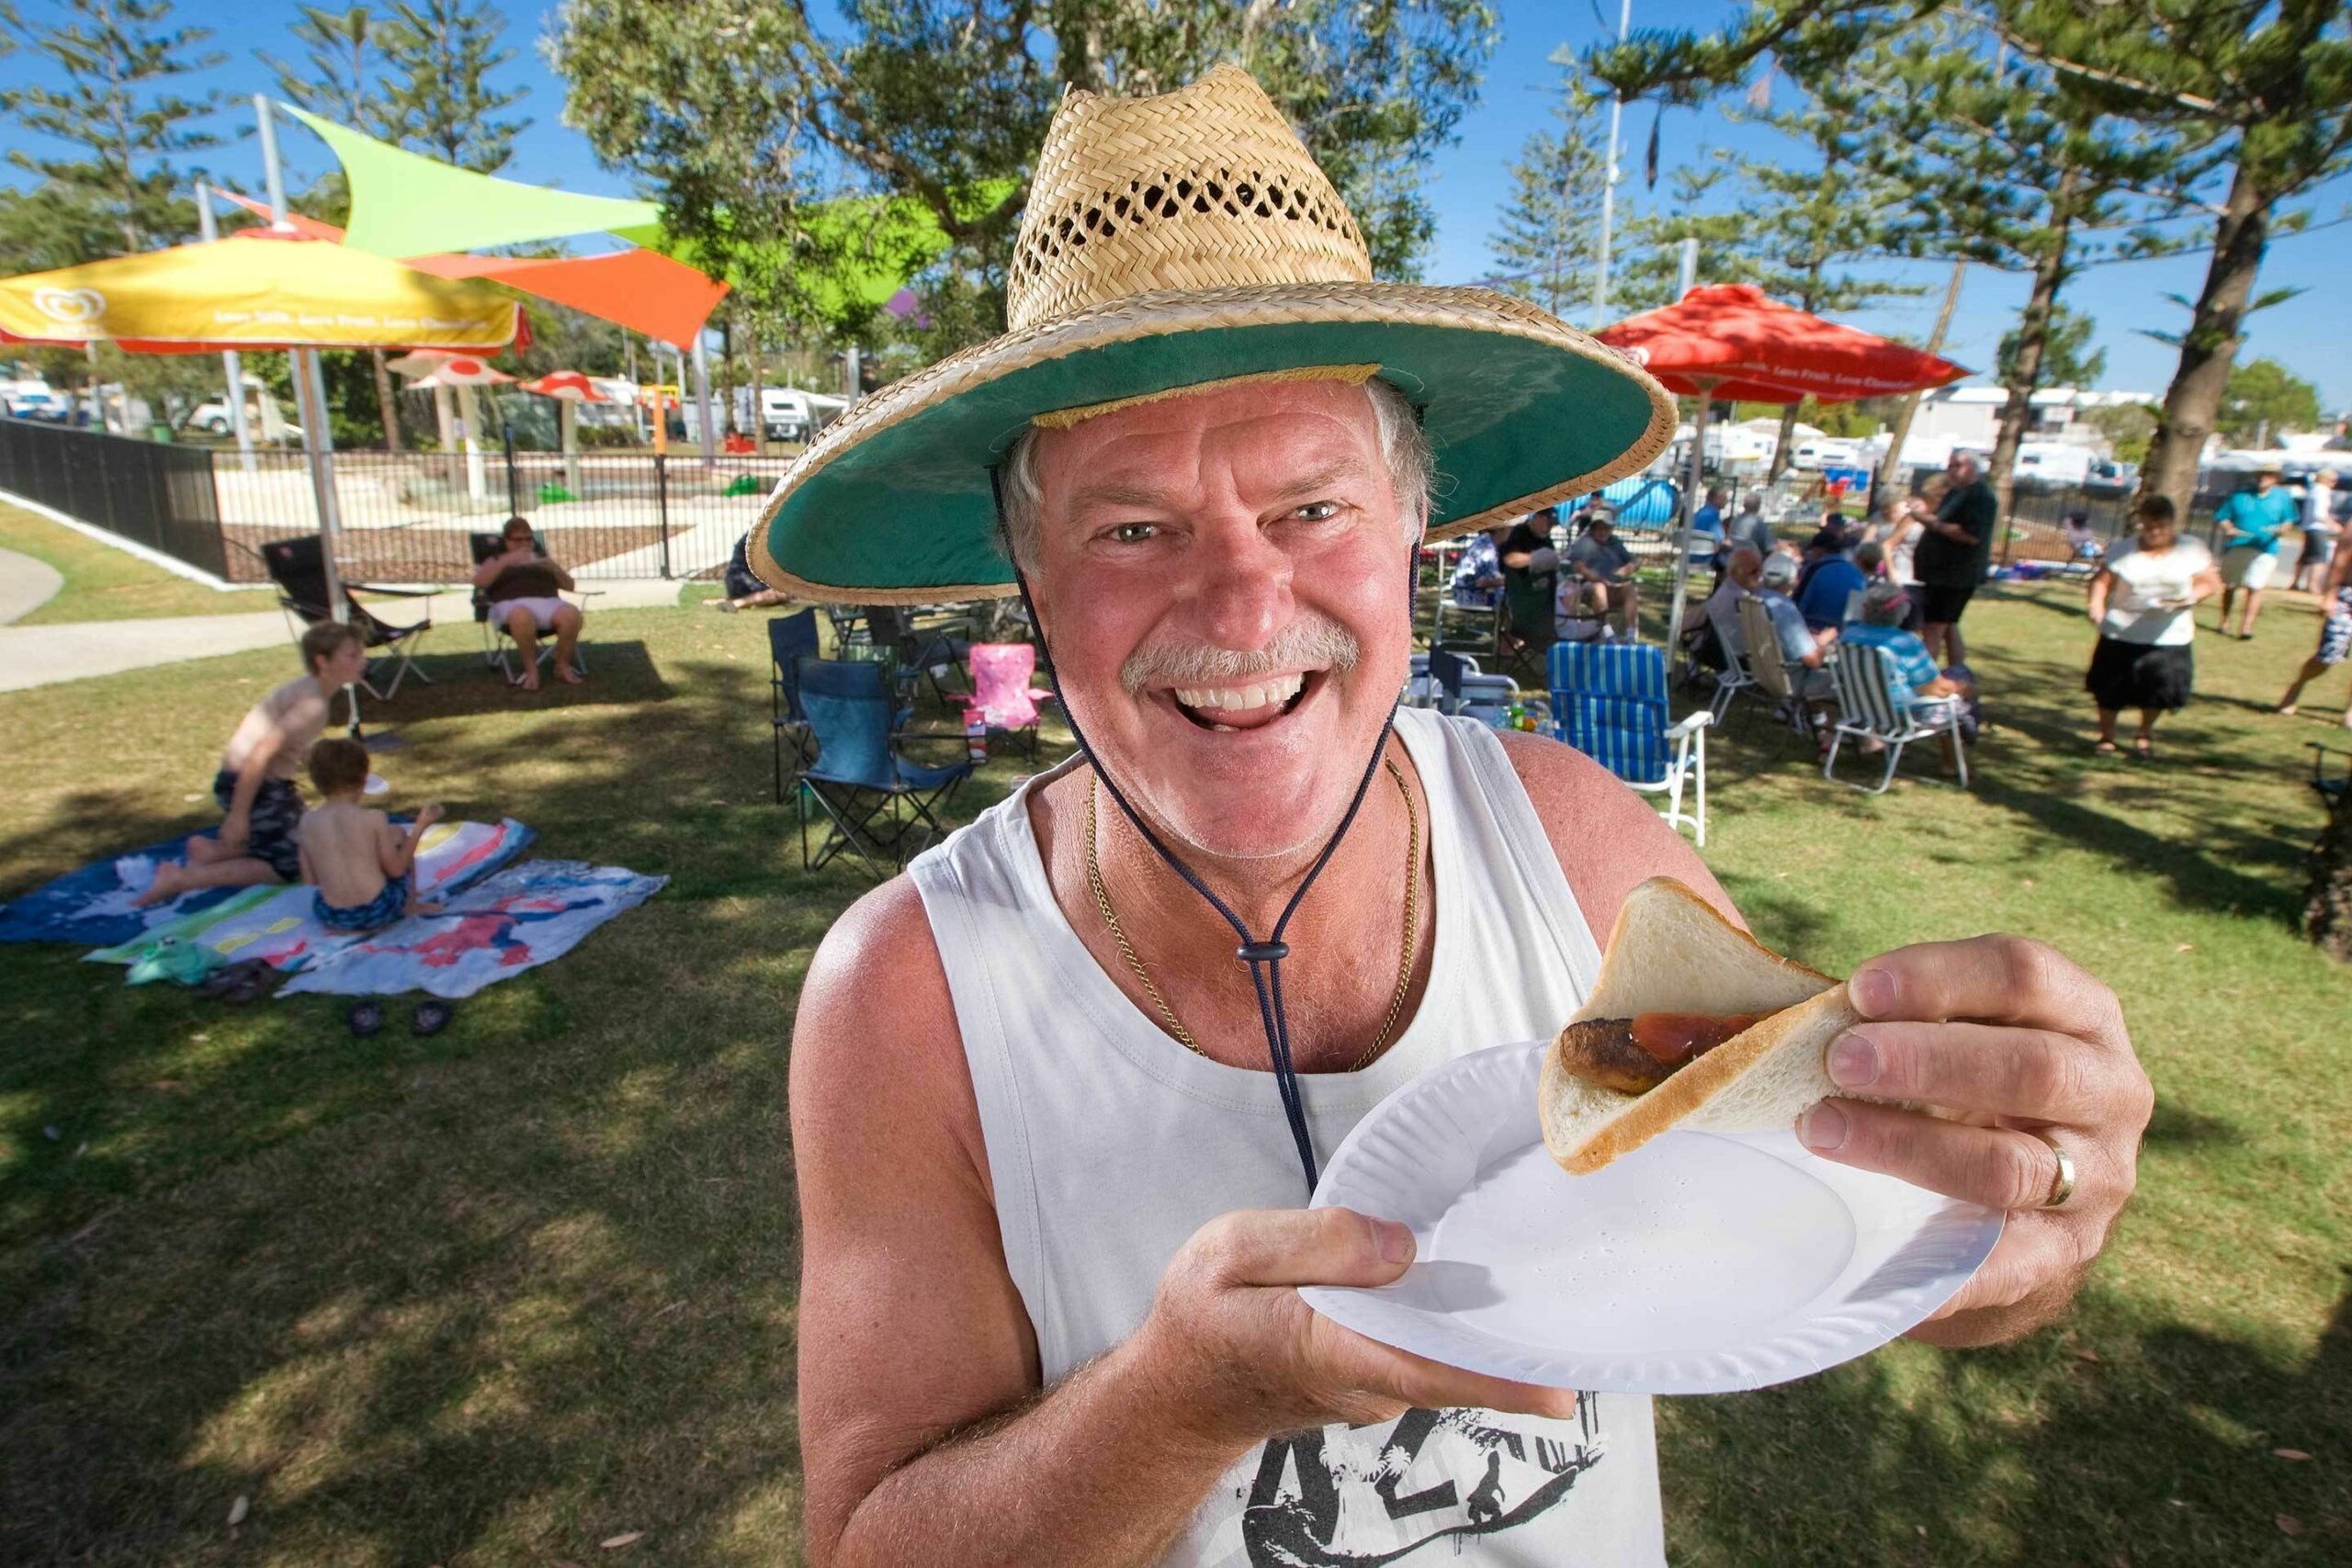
[1469,182]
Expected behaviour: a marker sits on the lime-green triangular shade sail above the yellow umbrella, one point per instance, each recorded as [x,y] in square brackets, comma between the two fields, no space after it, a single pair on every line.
[408,206]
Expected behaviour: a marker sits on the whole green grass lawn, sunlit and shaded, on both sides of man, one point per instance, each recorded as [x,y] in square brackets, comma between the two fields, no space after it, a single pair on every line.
[512,1292]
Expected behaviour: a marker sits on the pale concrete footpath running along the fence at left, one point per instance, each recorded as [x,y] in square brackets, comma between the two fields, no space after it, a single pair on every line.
[79,650]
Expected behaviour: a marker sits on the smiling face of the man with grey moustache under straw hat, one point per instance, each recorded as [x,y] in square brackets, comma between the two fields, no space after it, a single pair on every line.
[1224,587]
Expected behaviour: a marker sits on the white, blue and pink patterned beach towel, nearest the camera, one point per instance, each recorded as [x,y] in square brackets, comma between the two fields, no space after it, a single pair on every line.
[516,920]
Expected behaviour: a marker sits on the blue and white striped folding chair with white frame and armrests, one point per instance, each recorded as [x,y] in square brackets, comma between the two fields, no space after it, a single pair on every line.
[1610,704]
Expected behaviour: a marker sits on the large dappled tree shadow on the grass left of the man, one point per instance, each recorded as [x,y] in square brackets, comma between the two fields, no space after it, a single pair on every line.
[490,1296]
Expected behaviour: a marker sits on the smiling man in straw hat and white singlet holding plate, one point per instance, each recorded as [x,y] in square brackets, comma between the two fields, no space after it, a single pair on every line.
[1060,1092]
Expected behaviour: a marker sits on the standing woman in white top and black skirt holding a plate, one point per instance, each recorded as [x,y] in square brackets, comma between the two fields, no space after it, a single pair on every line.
[2141,603]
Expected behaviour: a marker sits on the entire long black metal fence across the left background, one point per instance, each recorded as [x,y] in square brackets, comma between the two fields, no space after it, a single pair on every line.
[406,516]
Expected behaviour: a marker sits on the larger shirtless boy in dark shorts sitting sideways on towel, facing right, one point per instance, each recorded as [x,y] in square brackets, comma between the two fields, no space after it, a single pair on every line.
[255,784]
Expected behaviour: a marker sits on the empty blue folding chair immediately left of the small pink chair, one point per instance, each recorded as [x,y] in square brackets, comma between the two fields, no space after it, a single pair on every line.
[874,798]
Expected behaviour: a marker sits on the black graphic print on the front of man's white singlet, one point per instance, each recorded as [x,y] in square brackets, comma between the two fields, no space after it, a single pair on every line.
[1363,1496]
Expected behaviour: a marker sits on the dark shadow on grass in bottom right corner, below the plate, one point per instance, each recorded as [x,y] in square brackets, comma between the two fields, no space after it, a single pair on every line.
[2144,1445]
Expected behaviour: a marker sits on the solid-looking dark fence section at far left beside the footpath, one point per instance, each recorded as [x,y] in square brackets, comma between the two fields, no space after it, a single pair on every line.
[147,492]
